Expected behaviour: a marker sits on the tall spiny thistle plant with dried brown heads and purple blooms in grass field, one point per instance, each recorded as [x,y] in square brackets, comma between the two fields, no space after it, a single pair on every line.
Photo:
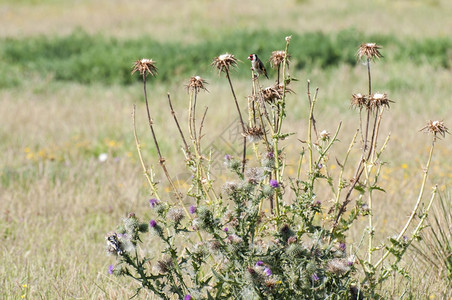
[221,242]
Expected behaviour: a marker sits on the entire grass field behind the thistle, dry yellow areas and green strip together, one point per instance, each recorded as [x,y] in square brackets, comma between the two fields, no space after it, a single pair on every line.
[57,199]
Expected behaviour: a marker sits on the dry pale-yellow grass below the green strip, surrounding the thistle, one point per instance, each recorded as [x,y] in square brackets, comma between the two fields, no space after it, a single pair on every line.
[55,213]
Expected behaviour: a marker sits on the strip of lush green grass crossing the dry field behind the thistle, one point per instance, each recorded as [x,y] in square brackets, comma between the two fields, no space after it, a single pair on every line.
[88,59]
